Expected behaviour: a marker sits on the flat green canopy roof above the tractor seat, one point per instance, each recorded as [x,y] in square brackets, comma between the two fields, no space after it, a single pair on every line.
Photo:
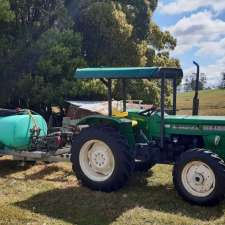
[128,72]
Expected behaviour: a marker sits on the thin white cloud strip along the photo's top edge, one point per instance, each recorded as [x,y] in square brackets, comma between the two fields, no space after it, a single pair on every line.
[182,6]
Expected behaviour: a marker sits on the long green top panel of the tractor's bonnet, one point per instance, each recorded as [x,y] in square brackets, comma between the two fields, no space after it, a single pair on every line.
[198,120]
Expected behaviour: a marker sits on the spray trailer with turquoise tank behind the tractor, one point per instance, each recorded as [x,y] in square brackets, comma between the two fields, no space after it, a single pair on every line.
[24,135]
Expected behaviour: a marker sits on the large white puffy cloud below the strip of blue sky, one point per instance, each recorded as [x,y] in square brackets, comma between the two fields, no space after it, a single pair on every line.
[200,30]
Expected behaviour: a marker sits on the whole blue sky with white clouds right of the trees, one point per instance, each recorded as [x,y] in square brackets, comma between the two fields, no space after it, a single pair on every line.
[199,27]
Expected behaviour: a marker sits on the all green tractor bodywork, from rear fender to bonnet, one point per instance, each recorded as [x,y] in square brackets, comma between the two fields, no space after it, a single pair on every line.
[207,127]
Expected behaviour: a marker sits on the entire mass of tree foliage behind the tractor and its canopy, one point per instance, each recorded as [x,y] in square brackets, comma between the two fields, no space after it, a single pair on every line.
[43,42]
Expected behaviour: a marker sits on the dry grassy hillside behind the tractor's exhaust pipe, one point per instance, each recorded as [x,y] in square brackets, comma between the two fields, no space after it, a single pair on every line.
[212,102]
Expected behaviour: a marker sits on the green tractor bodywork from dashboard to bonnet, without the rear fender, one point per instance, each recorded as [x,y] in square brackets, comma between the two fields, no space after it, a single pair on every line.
[208,127]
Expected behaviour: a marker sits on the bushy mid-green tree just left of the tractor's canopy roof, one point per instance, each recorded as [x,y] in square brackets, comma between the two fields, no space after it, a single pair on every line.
[59,55]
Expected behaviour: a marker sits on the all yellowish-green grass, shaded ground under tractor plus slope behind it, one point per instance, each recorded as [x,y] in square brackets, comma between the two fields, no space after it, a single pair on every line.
[50,194]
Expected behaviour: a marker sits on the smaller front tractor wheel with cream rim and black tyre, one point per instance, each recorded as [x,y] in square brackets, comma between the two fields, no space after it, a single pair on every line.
[198,176]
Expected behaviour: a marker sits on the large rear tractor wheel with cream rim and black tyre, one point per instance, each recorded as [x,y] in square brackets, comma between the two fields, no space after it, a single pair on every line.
[101,158]
